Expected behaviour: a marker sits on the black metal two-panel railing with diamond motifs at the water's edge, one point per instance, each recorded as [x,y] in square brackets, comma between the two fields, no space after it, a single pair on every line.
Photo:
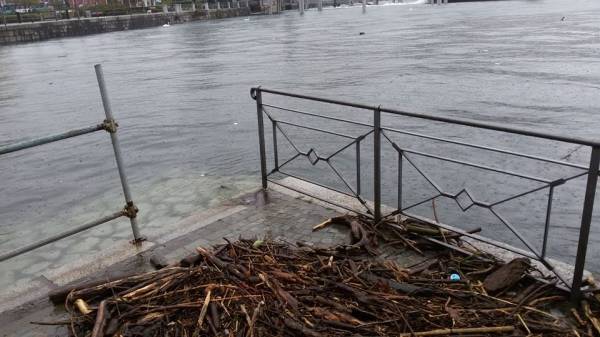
[406,156]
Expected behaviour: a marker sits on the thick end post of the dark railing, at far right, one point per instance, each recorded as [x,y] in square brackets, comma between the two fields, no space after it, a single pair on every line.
[586,220]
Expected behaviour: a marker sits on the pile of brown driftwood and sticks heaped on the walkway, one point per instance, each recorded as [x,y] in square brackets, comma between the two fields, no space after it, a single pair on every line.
[252,288]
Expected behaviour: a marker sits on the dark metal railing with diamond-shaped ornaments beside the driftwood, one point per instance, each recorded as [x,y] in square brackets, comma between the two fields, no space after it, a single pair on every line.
[404,154]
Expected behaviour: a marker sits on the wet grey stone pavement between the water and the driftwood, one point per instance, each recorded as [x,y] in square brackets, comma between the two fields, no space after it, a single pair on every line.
[278,214]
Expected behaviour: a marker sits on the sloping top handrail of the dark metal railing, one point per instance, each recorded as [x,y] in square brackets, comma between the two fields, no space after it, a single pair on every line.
[457,121]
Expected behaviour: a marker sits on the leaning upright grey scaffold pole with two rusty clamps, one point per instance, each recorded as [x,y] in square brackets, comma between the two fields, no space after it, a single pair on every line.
[117,149]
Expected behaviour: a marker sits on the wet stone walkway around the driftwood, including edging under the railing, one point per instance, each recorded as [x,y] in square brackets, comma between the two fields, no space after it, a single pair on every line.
[279,214]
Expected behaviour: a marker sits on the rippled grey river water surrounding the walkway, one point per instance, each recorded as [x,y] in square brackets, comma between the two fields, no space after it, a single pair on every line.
[188,128]
